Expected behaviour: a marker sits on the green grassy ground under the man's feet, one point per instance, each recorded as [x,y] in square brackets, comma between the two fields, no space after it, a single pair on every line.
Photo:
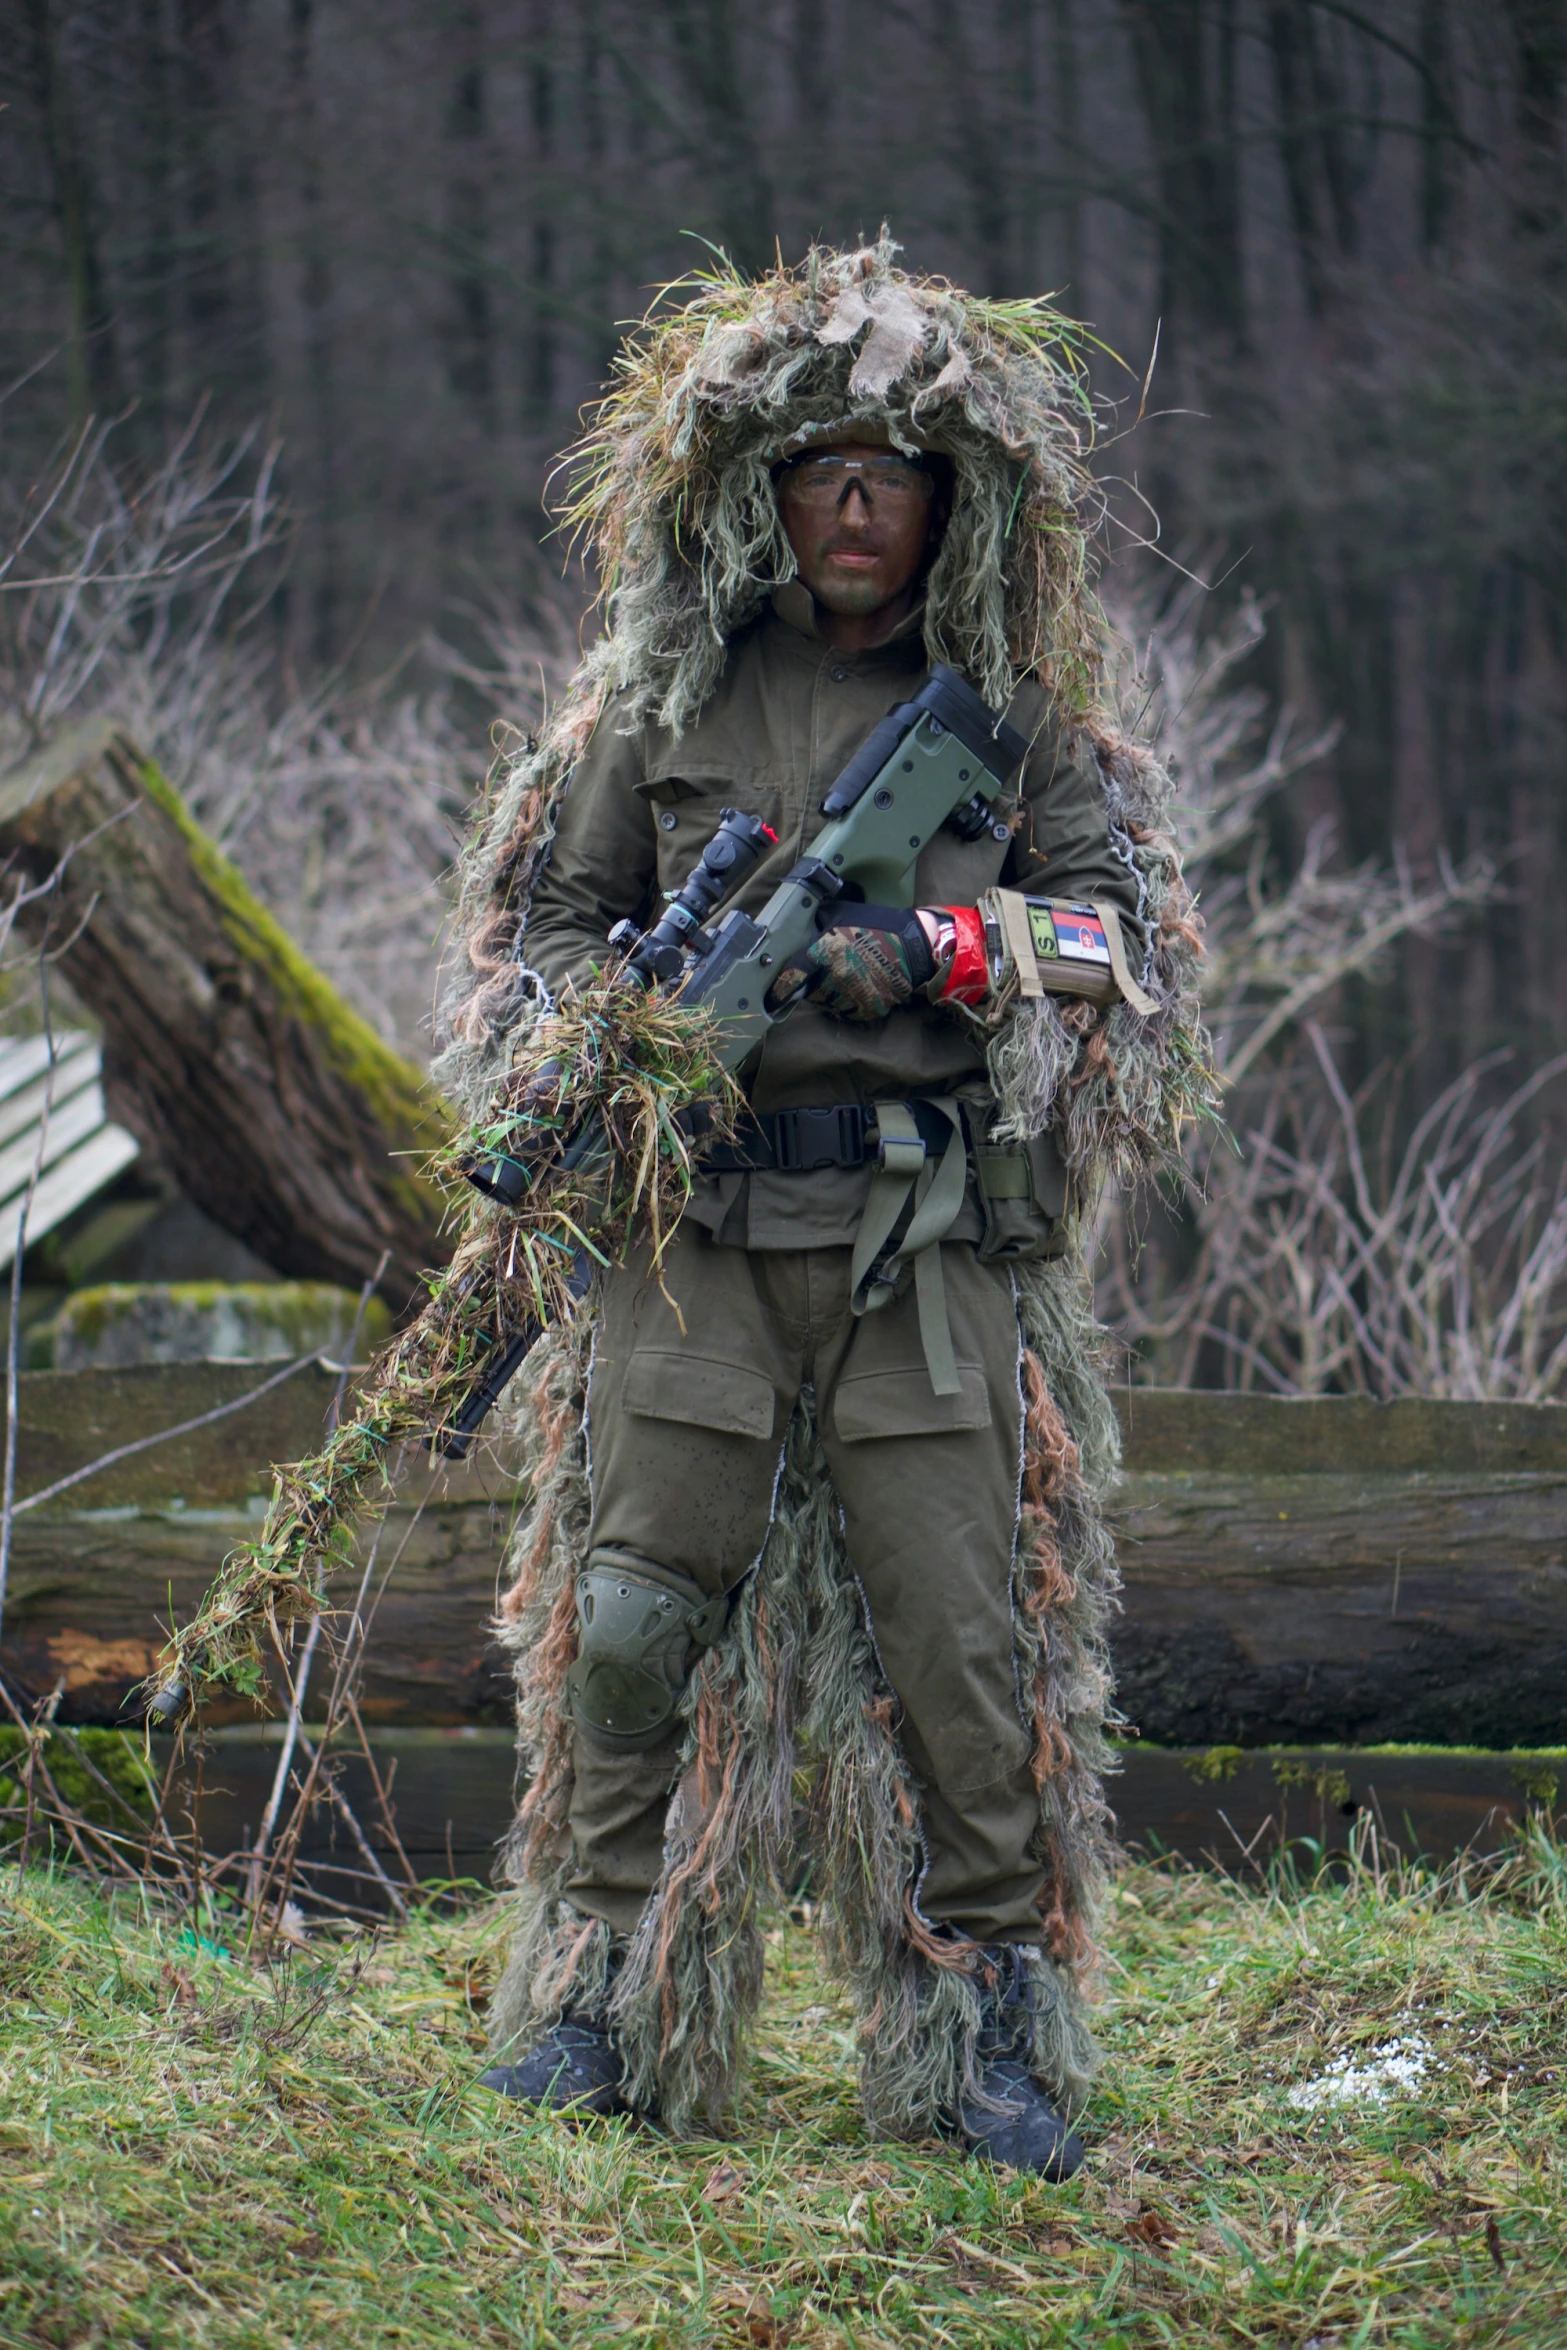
[203,2151]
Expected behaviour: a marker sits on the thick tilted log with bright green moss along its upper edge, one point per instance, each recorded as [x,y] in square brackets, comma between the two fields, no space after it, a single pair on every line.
[267,1096]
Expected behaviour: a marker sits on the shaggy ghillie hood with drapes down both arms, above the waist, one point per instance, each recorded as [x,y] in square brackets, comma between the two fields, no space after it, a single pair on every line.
[673,499]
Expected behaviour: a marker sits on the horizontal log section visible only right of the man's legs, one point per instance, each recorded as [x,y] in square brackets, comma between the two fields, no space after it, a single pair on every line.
[1343,1571]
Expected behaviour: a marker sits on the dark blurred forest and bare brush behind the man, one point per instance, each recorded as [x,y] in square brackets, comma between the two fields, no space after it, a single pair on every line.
[302,297]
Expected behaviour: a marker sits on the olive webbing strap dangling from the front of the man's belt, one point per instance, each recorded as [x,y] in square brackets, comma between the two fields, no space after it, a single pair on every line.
[936,1193]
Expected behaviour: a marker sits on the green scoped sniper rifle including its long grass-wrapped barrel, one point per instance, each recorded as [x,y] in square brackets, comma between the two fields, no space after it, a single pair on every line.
[932,763]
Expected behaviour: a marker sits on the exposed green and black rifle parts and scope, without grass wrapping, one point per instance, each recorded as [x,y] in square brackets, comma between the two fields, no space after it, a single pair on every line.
[932,763]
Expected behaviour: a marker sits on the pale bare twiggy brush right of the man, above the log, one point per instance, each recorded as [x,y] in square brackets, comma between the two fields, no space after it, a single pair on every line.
[1324,1244]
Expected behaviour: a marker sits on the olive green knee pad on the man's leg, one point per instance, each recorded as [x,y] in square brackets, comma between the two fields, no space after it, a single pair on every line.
[638,1639]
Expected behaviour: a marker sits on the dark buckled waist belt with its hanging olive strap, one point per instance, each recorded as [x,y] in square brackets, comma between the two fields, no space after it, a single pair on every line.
[922,1160]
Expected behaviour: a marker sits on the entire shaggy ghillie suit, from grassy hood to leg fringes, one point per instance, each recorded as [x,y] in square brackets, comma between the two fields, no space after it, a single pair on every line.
[673,492]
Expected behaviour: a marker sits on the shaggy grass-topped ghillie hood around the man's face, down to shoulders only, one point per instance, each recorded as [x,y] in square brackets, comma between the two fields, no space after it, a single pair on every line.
[673,483]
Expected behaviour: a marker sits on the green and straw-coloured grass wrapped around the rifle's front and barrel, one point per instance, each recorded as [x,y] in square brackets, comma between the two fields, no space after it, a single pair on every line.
[612,1054]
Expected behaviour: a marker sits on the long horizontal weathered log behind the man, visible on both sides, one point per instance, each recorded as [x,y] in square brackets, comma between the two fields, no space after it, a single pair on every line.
[1307,1573]
